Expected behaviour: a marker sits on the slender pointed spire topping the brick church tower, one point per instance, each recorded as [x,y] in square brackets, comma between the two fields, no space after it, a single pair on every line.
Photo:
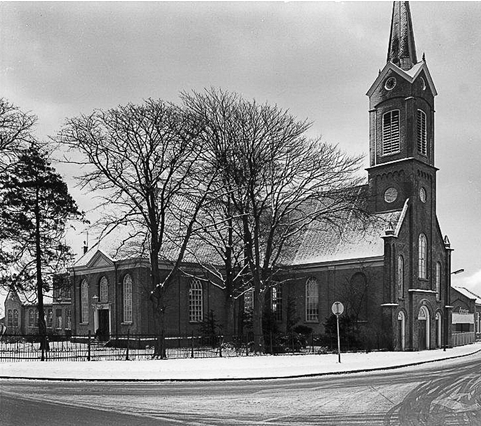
[401,50]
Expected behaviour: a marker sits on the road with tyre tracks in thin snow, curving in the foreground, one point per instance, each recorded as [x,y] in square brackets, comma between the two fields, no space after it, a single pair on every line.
[442,393]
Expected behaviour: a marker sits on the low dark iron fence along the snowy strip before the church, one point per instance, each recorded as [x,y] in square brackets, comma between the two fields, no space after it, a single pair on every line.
[138,347]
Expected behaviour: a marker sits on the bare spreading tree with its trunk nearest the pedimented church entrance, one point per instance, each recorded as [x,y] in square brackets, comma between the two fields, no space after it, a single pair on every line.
[148,161]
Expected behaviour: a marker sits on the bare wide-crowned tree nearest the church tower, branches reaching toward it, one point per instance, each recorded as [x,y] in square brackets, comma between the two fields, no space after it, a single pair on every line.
[277,180]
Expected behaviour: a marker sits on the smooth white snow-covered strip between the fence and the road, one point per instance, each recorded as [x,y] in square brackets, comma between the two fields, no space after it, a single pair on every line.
[226,368]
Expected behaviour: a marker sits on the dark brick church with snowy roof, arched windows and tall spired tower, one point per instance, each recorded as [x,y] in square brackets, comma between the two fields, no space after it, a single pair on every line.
[393,278]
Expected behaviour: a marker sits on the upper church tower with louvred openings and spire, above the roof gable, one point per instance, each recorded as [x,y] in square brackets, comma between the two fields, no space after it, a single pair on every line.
[401,110]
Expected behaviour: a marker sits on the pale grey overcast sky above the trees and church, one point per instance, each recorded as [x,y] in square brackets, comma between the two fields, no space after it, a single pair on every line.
[59,60]
